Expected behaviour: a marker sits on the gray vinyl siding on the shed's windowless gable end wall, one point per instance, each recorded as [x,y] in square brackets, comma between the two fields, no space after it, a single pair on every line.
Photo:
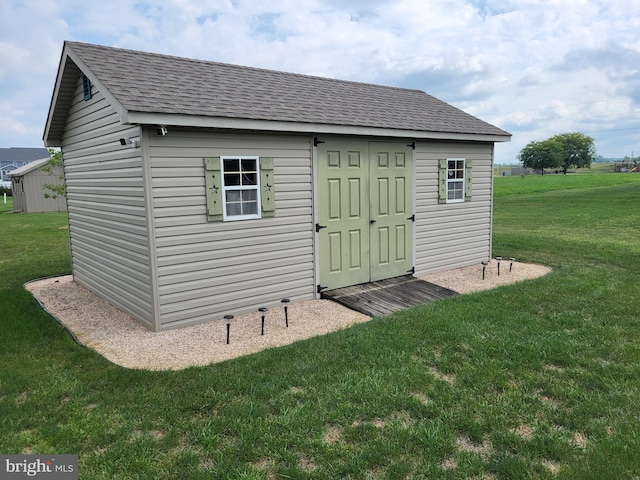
[106,205]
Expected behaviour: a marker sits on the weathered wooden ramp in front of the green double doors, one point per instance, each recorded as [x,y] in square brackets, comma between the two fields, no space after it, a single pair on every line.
[387,296]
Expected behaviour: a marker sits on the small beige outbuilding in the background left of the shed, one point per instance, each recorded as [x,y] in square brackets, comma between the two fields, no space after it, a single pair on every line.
[28,185]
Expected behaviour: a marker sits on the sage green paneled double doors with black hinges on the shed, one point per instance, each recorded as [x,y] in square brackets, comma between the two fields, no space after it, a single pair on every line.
[365,203]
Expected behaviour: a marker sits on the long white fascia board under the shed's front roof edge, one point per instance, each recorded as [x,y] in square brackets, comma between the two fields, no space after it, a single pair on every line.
[143,118]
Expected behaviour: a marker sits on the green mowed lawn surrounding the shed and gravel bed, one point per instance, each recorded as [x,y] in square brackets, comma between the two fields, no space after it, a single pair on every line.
[539,379]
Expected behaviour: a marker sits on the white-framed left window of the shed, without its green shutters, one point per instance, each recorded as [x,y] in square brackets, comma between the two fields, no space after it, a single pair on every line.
[241,193]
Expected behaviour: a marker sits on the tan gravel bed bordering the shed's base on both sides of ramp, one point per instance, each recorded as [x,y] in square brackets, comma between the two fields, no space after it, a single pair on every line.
[100,326]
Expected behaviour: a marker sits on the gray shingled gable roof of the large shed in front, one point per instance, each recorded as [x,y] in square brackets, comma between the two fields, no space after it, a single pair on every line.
[152,88]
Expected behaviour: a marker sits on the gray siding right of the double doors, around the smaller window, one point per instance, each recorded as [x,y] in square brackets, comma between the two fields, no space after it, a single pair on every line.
[456,234]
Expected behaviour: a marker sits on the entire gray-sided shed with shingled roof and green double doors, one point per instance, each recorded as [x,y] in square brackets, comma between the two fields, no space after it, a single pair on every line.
[197,189]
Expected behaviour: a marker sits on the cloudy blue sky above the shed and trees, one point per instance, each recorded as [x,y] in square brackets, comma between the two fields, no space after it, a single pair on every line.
[534,68]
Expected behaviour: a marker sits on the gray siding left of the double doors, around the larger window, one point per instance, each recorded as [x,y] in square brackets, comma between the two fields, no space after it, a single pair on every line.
[209,269]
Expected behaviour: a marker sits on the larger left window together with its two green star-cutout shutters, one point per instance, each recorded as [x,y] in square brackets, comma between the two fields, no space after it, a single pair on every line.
[239,188]
